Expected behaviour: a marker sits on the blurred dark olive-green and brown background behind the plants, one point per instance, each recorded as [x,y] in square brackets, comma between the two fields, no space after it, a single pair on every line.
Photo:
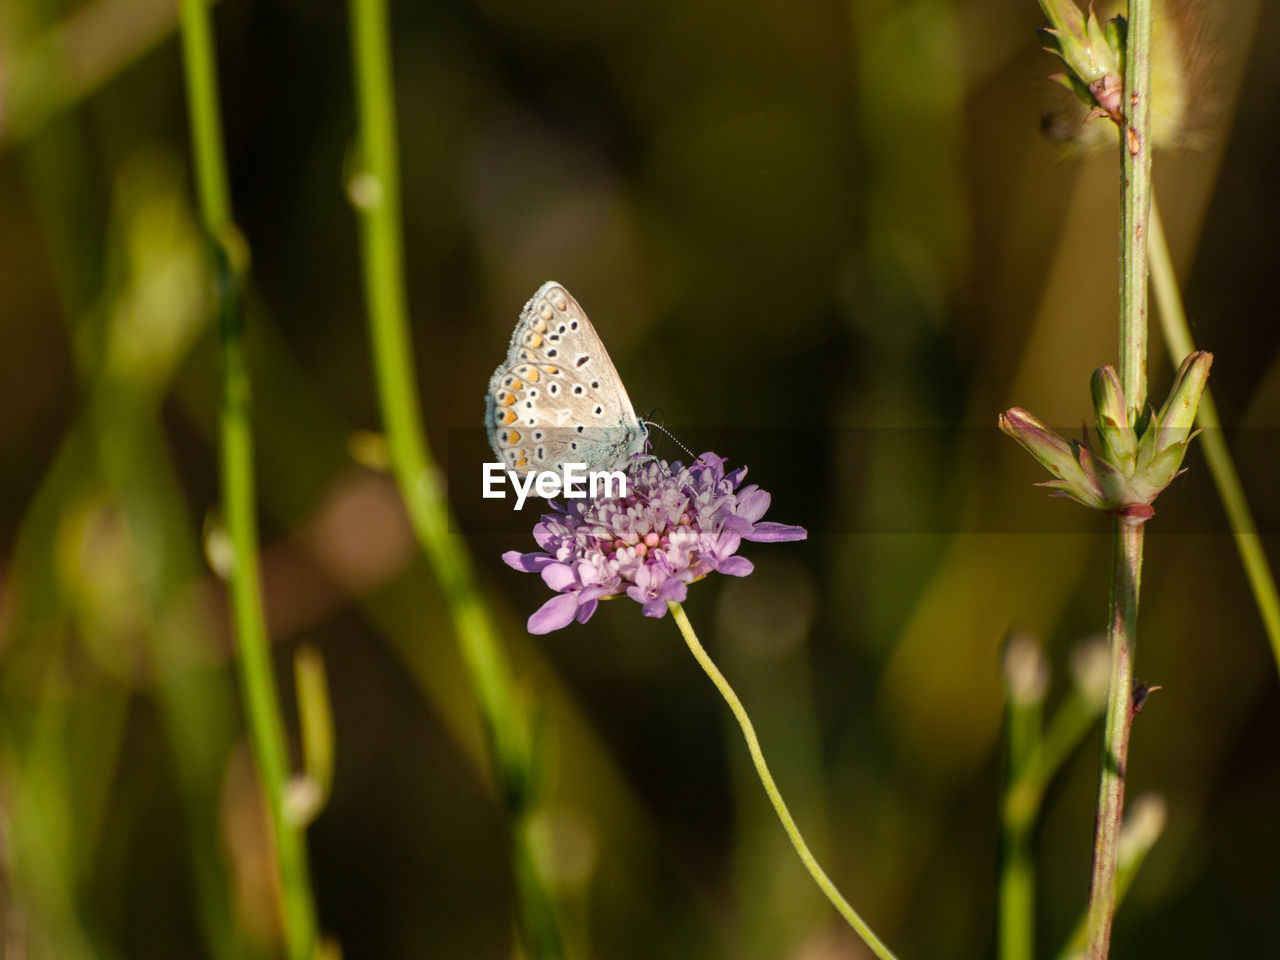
[829,241]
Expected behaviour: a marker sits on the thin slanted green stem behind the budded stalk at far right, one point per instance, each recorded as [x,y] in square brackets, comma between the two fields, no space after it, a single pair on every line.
[1173,318]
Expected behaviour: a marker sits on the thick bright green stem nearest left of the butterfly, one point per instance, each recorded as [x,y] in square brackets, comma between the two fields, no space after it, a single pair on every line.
[376,194]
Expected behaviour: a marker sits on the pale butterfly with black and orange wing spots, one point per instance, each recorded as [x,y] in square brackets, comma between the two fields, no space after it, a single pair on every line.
[557,397]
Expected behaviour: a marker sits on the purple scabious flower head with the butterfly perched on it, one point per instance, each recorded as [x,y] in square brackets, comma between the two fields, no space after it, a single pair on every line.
[676,525]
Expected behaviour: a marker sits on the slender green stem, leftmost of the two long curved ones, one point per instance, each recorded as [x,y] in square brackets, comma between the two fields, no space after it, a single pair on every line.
[236,450]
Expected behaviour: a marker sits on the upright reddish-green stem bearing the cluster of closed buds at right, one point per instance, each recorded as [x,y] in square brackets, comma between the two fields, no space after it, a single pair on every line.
[1127,568]
